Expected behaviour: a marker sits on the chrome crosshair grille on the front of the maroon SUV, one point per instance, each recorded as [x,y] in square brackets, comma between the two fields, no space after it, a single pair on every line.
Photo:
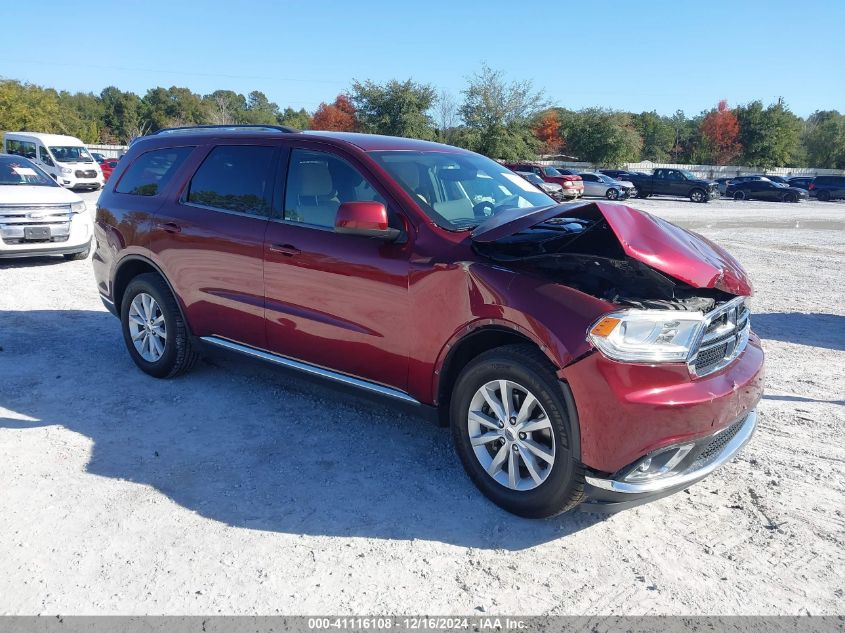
[725,337]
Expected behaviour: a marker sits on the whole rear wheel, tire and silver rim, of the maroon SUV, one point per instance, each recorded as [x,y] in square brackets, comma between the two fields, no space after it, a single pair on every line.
[153,329]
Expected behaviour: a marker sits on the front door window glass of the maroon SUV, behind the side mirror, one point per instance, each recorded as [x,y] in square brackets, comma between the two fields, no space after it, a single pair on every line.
[318,183]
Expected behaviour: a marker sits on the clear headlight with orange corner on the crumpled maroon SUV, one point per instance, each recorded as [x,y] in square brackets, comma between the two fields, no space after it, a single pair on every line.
[648,336]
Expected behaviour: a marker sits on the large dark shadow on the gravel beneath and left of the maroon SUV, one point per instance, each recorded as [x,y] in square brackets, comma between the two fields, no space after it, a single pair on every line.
[251,445]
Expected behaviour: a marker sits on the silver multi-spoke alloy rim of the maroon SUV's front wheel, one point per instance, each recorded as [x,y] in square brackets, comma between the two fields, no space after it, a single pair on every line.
[511,435]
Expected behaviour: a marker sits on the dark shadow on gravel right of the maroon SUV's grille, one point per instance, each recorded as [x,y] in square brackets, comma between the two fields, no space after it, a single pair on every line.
[815,329]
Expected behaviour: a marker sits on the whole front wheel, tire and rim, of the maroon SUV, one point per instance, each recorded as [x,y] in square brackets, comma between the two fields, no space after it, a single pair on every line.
[511,431]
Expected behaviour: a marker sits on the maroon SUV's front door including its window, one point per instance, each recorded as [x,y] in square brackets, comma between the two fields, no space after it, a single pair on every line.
[334,300]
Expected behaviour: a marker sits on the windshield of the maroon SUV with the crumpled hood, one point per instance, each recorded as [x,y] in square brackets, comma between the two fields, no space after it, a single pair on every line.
[459,191]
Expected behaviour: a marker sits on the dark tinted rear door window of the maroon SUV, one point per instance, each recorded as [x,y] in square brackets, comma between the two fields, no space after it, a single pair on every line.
[235,178]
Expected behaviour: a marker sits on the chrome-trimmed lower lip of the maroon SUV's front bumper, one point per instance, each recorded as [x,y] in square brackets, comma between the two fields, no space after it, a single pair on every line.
[609,494]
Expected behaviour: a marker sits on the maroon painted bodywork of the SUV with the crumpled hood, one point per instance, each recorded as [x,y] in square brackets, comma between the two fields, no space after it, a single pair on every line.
[390,311]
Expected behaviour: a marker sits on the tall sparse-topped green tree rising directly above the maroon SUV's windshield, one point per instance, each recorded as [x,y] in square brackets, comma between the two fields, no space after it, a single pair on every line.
[498,115]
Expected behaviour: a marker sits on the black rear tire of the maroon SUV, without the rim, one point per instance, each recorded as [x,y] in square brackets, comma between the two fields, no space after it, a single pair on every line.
[178,356]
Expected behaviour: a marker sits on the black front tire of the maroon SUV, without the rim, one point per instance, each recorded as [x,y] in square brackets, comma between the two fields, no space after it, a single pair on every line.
[563,488]
